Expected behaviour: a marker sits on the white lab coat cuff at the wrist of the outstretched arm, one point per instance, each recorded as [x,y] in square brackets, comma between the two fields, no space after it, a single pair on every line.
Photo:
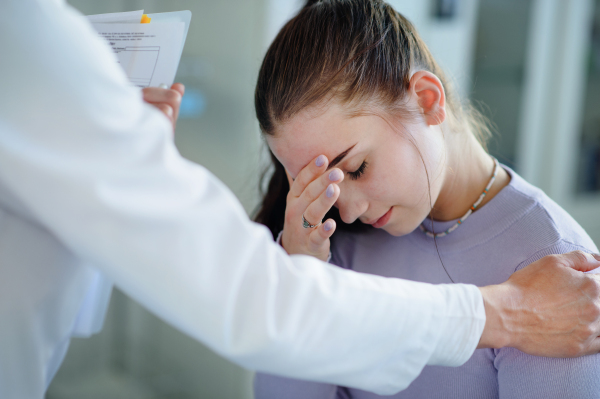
[461,329]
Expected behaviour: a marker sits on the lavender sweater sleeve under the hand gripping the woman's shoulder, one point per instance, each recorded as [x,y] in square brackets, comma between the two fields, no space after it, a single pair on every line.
[524,376]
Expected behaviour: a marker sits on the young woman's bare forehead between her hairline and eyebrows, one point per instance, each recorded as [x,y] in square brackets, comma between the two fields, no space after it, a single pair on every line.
[309,134]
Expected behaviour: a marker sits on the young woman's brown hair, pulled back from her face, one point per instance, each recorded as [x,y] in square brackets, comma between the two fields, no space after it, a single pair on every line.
[357,52]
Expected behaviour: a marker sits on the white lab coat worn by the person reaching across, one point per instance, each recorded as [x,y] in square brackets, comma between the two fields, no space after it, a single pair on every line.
[92,190]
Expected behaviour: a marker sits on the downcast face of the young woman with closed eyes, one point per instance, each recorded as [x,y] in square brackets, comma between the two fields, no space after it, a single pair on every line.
[385,163]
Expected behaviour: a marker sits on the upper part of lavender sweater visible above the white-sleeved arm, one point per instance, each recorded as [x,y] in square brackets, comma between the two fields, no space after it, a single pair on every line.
[518,226]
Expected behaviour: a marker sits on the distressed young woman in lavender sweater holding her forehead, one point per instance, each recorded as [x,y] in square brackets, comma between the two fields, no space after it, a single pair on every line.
[359,116]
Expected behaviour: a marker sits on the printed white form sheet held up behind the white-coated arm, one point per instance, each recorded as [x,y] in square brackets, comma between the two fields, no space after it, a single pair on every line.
[149,53]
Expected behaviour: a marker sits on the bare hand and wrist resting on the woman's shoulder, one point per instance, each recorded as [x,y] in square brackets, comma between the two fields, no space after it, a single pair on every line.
[546,309]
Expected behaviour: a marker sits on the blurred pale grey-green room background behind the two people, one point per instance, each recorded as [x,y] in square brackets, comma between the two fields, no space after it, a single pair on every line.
[532,66]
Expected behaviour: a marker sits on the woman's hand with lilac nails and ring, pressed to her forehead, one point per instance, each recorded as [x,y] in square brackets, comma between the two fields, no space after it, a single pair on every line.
[312,194]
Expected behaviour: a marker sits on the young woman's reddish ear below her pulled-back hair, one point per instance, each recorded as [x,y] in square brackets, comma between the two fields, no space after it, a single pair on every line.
[430,95]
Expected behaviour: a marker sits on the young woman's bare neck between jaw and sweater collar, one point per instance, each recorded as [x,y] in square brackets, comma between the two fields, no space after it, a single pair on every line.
[469,169]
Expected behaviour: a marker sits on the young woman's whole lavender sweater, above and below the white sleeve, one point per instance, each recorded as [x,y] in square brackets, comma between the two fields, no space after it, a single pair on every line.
[517,227]
